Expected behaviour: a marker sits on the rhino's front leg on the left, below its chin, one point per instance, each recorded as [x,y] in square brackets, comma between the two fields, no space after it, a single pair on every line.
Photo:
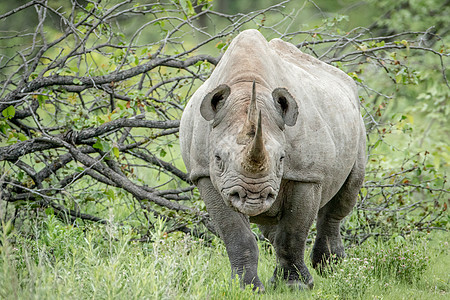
[234,229]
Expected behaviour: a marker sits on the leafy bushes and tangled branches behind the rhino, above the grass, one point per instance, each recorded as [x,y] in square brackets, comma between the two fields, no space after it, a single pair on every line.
[92,93]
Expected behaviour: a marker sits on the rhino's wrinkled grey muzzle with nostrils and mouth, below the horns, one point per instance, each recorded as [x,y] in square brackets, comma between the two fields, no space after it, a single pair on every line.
[250,203]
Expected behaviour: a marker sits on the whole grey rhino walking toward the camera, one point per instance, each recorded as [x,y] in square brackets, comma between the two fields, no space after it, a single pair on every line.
[294,154]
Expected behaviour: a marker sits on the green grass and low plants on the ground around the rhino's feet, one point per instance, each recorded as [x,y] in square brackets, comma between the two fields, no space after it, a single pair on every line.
[98,262]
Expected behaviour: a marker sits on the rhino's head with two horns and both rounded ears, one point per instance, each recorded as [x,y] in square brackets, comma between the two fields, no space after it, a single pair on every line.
[247,143]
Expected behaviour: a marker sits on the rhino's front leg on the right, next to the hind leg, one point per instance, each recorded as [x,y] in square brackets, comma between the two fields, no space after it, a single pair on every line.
[302,202]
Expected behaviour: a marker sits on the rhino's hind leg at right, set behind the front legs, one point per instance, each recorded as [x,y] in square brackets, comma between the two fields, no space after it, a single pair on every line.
[328,246]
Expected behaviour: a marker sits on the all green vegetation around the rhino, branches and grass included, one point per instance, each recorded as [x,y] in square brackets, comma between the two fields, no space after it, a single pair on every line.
[94,198]
